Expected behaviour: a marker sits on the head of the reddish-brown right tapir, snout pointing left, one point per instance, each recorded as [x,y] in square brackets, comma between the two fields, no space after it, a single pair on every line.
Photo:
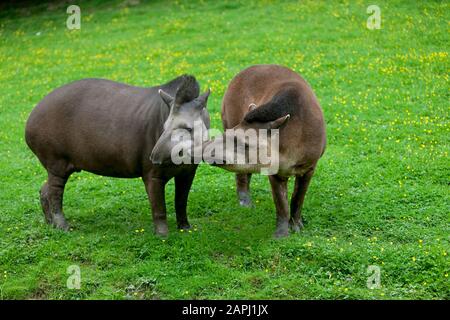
[250,147]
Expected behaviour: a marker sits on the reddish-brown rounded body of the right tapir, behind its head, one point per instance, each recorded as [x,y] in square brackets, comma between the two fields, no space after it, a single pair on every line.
[302,139]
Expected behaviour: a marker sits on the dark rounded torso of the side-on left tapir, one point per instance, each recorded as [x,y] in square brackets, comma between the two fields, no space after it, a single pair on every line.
[97,125]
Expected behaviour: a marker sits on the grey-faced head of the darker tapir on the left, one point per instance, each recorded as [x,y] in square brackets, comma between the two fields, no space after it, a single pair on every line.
[188,117]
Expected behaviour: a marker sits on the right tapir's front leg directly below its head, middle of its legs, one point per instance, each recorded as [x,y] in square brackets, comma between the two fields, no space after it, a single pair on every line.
[279,193]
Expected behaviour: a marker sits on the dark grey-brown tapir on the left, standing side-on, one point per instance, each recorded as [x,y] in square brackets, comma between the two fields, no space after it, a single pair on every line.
[111,129]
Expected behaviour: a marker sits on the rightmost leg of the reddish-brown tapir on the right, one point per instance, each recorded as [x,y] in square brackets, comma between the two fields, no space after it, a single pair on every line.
[298,196]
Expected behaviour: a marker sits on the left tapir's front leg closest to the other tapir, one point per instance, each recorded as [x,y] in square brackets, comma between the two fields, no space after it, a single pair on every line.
[182,186]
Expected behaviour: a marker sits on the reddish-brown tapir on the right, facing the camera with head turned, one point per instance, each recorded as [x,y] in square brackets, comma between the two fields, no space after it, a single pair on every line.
[273,97]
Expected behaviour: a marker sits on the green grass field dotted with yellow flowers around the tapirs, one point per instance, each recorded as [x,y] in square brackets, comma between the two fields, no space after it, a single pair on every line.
[380,195]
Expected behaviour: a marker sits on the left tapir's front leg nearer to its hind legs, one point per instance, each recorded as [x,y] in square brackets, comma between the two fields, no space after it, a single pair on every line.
[156,193]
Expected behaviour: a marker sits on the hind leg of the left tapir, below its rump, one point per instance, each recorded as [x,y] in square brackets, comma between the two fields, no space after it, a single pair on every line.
[52,200]
